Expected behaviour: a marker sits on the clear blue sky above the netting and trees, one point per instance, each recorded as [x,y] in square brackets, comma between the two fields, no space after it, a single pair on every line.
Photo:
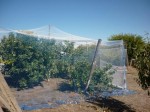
[87,18]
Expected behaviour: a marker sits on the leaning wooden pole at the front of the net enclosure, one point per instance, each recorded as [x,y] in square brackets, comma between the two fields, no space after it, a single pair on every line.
[93,65]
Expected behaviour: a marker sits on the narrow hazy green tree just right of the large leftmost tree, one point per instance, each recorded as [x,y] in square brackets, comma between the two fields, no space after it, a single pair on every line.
[50,54]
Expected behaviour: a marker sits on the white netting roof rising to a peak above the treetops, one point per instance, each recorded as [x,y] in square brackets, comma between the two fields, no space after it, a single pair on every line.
[49,32]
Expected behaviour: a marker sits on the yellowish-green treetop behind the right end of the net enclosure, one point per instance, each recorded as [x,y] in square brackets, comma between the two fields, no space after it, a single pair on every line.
[133,43]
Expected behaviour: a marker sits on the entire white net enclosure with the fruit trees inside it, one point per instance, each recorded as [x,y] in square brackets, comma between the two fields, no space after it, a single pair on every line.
[51,66]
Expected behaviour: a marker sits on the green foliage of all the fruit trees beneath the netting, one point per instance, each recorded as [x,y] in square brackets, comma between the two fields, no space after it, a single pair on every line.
[29,60]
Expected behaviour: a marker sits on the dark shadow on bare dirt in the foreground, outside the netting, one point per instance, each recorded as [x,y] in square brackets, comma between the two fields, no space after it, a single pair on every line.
[112,105]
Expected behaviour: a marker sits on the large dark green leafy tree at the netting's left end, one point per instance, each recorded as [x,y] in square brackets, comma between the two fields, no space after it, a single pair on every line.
[21,61]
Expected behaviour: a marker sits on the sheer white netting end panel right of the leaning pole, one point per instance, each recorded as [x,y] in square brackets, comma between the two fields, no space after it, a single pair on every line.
[114,53]
